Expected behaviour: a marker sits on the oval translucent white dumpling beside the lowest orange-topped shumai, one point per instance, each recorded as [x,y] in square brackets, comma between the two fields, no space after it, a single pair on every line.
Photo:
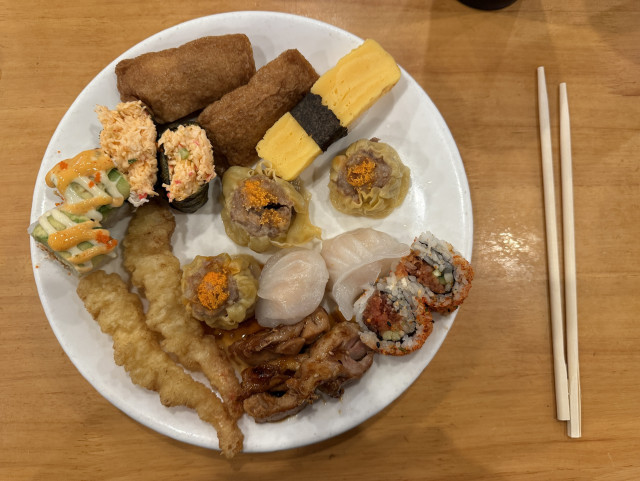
[292,285]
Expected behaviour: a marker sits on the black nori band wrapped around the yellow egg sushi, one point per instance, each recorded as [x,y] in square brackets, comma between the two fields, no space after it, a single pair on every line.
[318,121]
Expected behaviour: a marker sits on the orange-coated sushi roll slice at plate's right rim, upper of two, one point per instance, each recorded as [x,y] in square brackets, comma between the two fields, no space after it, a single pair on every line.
[443,273]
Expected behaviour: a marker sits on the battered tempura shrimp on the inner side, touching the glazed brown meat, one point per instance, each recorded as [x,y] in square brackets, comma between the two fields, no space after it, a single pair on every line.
[156,272]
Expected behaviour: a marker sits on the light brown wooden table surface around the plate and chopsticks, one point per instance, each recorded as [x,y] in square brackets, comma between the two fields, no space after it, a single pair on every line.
[484,408]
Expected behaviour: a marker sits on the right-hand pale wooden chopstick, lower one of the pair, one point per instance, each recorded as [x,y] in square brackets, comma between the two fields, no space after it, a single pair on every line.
[574,428]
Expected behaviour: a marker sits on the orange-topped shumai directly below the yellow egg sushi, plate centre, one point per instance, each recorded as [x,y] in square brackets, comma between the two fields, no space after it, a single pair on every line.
[261,210]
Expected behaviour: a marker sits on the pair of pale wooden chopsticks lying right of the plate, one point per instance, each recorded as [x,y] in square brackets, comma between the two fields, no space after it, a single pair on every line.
[567,374]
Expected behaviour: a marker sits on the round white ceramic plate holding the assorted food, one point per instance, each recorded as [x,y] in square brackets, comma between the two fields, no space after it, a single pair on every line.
[438,201]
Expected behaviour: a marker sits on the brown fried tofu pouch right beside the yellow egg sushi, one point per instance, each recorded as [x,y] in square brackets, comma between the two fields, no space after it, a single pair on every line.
[237,121]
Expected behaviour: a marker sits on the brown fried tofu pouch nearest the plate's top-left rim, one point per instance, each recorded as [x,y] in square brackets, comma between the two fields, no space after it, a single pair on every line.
[176,82]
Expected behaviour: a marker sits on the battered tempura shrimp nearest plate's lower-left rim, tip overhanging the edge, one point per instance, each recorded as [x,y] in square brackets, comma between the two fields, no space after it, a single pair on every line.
[136,348]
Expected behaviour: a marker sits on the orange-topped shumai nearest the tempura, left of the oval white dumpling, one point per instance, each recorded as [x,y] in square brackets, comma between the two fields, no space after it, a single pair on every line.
[222,290]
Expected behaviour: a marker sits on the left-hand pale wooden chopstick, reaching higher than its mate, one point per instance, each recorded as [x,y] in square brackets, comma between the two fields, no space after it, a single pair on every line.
[557,327]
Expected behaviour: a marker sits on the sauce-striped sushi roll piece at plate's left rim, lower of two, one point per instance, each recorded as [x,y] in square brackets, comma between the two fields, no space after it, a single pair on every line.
[77,241]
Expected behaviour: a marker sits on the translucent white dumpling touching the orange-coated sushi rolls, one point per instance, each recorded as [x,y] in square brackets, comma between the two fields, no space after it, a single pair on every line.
[355,259]
